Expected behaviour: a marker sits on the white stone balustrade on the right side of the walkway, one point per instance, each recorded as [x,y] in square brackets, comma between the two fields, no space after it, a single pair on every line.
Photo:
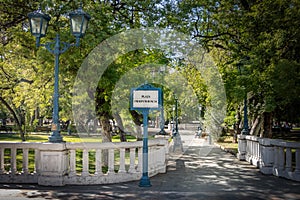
[272,156]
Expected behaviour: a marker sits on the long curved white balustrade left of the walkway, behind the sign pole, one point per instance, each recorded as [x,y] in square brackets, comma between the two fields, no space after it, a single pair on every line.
[55,163]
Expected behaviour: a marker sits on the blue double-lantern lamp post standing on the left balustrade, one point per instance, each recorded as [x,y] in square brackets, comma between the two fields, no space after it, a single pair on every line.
[38,26]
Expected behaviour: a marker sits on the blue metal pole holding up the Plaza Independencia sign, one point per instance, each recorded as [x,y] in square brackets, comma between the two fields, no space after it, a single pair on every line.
[145,181]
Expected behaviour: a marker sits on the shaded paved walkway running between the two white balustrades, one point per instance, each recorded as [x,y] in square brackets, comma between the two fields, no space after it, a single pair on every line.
[202,171]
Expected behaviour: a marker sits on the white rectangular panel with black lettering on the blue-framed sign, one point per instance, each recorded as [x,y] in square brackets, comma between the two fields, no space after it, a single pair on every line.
[145,99]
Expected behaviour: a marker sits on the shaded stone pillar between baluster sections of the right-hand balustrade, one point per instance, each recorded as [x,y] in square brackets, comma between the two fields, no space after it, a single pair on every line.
[266,156]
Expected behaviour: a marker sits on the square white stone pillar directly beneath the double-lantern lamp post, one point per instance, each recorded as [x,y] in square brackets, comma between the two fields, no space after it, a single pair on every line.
[53,164]
